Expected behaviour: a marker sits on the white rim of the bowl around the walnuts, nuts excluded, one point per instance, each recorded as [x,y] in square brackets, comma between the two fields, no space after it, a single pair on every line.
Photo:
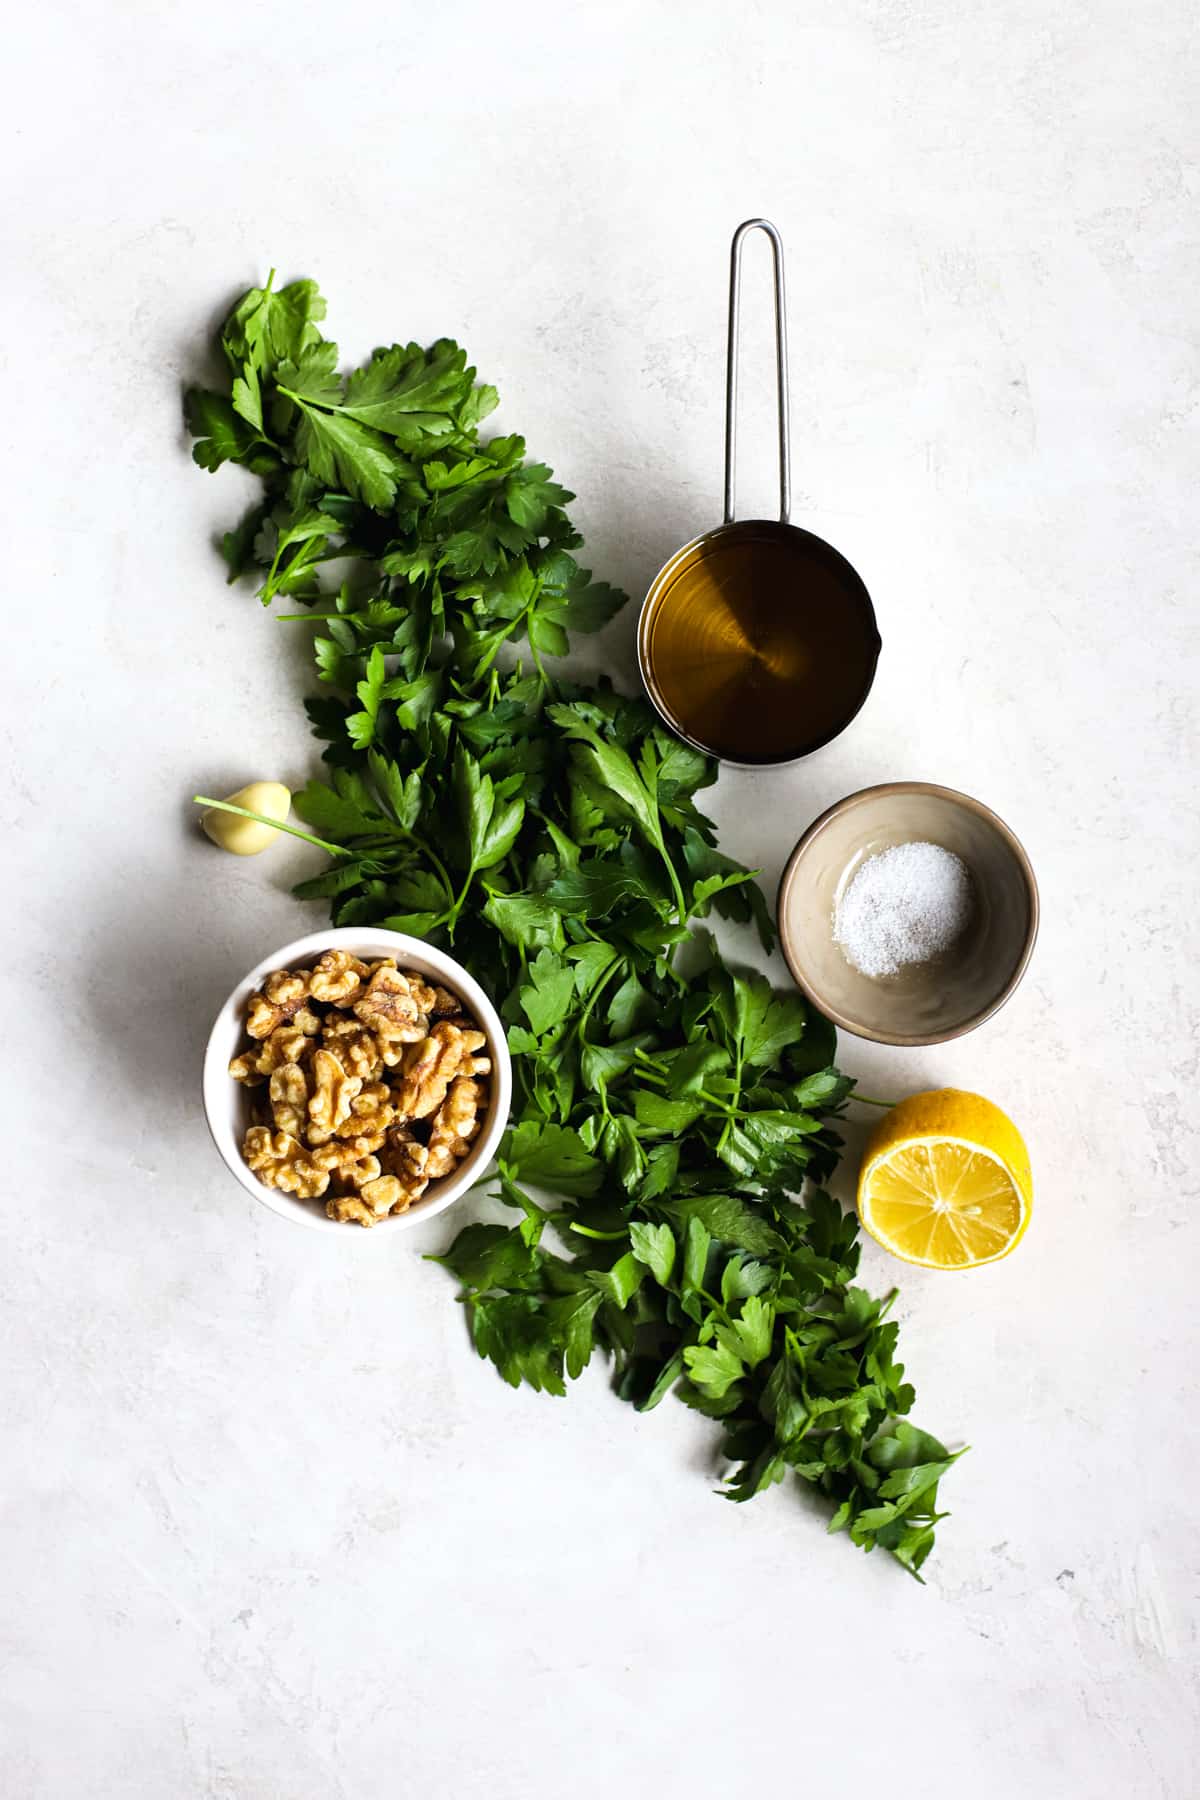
[361,940]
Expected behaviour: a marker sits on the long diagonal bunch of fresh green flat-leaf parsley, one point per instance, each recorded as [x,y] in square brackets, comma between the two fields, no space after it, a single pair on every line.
[668,1108]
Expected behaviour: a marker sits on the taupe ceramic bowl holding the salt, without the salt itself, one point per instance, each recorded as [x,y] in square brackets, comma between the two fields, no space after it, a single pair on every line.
[924,1003]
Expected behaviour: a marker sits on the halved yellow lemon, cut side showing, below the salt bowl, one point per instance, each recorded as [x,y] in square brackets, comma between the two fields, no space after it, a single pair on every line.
[947,1182]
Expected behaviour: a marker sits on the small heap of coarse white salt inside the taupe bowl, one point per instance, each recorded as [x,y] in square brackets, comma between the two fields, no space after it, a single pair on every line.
[904,906]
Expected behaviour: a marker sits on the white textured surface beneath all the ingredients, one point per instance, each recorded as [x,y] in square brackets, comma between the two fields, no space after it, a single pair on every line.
[269,1529]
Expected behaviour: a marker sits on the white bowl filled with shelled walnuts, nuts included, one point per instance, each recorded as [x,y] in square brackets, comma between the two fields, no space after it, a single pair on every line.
[357,1077]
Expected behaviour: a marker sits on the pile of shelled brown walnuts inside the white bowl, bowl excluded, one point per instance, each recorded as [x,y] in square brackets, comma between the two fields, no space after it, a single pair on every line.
[370,1084]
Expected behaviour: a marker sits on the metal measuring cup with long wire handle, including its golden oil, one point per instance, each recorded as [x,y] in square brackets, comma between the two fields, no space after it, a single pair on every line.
[758,642]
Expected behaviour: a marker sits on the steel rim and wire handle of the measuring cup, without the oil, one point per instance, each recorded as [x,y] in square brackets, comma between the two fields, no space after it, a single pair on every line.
[805,541]
